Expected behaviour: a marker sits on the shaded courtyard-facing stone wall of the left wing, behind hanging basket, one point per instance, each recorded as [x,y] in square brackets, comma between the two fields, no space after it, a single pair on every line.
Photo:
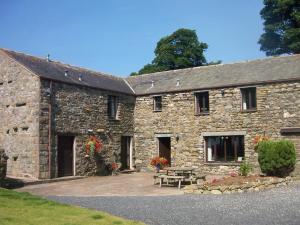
[80,111]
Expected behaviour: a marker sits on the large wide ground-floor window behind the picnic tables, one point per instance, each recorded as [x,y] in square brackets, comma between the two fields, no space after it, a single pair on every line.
[224,148]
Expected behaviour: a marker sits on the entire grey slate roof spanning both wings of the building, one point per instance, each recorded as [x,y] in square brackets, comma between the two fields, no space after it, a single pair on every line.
[268,70]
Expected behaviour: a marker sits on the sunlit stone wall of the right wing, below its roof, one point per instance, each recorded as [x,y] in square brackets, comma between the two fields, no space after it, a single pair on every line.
[277,106]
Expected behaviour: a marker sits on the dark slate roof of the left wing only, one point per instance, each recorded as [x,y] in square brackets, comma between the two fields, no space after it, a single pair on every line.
[56,70]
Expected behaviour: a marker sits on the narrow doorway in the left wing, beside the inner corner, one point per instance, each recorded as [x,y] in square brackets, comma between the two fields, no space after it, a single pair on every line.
[126,153]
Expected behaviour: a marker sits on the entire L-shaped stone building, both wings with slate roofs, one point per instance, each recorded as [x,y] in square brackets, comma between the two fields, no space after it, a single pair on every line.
[204,117]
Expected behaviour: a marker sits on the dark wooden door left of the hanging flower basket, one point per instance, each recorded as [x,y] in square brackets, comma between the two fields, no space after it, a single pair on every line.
[65,155]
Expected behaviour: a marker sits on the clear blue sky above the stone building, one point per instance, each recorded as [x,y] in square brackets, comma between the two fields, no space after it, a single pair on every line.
[119,36]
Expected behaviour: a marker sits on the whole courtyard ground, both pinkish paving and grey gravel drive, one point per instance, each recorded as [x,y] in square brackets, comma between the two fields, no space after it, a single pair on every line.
[134,196]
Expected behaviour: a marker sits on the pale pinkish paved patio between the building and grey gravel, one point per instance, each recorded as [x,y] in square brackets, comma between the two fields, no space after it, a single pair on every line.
[136,184]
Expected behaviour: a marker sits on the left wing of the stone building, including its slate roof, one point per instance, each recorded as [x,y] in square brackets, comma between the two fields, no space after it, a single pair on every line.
[49,109]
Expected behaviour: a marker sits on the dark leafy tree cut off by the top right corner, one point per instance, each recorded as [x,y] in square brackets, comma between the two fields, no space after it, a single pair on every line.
[281,27]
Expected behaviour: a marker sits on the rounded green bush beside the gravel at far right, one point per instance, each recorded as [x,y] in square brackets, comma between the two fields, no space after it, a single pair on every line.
[277,158]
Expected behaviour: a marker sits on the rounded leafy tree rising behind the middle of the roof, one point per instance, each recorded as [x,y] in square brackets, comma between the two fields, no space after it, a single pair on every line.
[179,50]
